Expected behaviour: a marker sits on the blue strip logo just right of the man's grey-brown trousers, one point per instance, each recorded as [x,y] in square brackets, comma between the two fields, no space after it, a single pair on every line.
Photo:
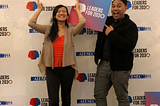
[140,76]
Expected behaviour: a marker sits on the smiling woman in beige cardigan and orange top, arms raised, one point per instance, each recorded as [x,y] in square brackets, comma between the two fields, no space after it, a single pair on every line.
[57,59]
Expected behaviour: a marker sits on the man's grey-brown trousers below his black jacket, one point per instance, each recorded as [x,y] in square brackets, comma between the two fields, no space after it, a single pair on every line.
[105,78]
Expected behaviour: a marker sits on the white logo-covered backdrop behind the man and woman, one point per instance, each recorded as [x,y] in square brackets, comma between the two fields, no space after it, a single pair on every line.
[21,83]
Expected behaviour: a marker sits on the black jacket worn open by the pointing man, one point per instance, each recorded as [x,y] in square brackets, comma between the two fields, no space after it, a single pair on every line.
[123,40]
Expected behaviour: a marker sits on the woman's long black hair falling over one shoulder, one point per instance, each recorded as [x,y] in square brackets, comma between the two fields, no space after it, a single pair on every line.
[54,28]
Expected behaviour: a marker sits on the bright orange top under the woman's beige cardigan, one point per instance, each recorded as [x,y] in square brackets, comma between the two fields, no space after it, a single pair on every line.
[58,51]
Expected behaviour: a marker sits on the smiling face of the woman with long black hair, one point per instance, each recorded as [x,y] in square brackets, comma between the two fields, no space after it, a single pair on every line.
[61,14]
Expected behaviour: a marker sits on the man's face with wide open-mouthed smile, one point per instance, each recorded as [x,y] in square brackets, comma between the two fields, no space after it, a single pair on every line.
[118,9]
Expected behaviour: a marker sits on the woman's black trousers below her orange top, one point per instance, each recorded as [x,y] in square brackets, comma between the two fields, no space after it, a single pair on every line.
[56,77]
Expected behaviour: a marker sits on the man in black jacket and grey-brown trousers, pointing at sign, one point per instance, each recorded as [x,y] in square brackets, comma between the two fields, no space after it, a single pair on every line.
[114,50]
